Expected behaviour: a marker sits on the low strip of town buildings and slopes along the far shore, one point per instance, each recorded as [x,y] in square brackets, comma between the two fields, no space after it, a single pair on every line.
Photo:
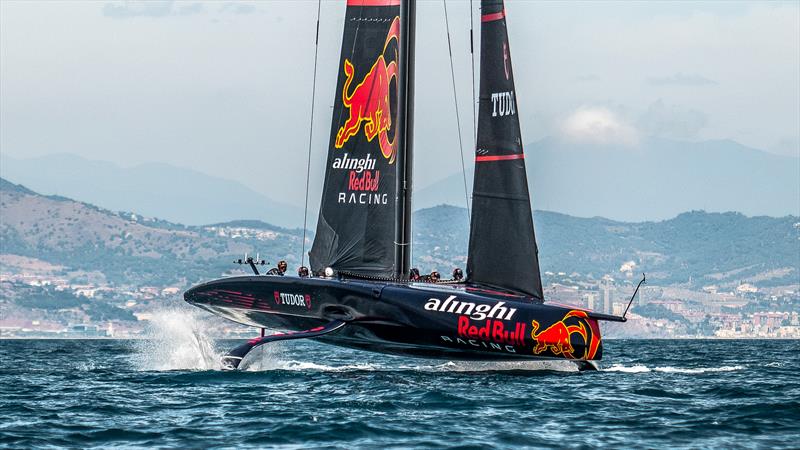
[745,311]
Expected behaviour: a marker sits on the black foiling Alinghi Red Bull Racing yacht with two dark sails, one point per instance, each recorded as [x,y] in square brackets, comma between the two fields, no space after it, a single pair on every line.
[360,295]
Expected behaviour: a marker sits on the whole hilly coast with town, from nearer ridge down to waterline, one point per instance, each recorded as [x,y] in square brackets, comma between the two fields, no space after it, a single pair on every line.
[70,269]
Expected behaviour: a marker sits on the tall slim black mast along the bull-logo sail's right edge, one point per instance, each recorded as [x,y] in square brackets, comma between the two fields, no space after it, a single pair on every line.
[405,138]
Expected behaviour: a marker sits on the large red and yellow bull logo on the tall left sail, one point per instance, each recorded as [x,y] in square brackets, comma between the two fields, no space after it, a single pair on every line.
[369,102]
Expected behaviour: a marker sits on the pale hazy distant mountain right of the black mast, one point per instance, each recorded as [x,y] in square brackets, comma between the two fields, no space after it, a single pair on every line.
[655,180]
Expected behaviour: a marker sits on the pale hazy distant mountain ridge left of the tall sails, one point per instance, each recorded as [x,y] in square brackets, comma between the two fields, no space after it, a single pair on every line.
[154,190]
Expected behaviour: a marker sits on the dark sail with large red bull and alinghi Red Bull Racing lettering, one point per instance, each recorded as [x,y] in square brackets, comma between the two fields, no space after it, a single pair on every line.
[355,231]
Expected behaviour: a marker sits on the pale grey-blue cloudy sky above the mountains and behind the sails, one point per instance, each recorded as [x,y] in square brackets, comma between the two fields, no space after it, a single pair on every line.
[225,88]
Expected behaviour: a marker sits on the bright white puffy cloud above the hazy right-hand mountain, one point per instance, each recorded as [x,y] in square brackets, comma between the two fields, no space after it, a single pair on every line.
[598,125]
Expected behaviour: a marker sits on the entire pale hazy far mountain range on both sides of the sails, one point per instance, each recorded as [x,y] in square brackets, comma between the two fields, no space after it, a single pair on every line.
[656,179]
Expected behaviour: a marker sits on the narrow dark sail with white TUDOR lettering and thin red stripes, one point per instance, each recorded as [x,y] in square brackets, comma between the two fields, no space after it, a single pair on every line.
[502,246]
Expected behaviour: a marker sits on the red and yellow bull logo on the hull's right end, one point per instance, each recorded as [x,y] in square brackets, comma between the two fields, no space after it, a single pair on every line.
[557,338]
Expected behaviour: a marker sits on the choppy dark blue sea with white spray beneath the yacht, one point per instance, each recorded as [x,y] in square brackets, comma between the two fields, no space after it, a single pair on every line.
[169,392]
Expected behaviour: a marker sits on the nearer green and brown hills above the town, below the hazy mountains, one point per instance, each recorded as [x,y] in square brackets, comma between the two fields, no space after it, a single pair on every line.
[692,249]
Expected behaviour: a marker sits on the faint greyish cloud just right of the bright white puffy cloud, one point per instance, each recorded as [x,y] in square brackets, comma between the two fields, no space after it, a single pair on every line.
[671,121]
